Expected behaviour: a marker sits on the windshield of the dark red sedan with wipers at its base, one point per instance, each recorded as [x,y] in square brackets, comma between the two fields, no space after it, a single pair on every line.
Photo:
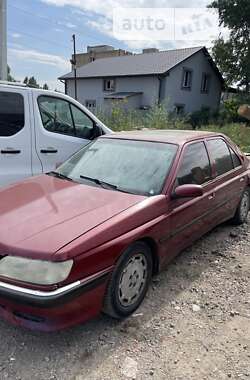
[138,167]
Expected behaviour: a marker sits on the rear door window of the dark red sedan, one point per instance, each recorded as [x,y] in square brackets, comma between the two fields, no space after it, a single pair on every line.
[221,155]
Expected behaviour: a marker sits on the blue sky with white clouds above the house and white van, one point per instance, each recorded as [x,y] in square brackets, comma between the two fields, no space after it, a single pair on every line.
[40,33]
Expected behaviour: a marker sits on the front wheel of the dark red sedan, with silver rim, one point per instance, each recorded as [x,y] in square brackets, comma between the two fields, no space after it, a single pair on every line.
[129,282]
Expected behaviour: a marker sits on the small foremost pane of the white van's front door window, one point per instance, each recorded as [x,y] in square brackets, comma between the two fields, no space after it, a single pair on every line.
[84,126]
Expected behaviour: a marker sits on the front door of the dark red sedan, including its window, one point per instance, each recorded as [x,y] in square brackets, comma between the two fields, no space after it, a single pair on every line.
[190,218]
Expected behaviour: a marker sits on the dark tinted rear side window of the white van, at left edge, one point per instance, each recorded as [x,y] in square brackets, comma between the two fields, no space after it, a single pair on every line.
[11,113]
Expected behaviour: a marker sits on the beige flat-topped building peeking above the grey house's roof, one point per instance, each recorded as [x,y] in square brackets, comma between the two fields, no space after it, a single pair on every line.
[98,52]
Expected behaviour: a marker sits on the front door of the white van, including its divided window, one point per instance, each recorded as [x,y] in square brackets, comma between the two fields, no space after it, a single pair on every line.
[61,129]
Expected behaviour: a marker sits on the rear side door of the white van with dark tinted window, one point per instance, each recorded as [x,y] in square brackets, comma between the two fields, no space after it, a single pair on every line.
[15,135]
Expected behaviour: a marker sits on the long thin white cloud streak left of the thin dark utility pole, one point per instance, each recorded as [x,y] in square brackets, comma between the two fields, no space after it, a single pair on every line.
[38,57]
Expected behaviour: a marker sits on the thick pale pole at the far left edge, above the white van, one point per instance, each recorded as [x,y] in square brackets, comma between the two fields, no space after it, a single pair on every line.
[3,40]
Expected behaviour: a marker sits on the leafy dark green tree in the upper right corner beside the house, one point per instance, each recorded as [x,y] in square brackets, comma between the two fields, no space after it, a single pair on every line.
[233,56]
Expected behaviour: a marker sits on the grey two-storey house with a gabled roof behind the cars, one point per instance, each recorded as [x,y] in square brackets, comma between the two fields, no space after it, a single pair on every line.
[185,80]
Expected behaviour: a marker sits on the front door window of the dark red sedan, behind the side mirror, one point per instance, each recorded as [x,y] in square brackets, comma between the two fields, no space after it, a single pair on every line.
[195,167]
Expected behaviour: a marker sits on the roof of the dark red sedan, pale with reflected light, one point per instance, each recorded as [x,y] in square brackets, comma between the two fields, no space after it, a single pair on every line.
[178,137]
